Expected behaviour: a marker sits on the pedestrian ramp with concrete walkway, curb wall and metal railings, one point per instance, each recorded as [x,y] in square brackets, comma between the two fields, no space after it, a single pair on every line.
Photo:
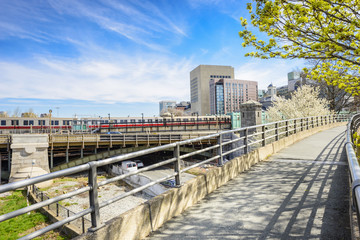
[288,179]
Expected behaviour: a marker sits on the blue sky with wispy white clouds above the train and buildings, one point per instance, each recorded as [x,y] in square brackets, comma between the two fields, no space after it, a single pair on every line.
[119,57]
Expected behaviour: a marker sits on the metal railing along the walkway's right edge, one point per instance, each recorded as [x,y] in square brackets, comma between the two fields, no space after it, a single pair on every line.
[353,127]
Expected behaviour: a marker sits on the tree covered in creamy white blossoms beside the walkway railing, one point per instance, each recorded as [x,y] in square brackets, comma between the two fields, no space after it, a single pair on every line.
[303,103]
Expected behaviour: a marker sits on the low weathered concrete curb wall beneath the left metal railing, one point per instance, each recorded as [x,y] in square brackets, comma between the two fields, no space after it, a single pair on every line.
[137,223]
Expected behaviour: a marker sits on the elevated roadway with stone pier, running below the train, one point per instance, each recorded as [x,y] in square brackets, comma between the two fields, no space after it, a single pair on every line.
[21,150]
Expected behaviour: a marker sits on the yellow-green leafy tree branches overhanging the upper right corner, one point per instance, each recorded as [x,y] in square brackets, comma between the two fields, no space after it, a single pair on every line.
[310,29]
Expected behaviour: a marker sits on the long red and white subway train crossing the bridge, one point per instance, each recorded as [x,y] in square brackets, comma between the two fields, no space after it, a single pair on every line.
[121,124]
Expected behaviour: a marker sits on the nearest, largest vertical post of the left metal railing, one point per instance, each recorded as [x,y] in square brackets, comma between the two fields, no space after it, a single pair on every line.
[93,197]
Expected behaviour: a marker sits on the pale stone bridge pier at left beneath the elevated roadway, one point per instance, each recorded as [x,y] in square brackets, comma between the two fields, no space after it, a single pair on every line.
[29,156]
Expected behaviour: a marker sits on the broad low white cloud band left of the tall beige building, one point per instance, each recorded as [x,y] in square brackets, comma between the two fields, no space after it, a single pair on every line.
[122,79]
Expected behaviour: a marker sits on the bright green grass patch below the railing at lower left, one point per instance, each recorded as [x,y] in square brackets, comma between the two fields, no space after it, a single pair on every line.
[20,225]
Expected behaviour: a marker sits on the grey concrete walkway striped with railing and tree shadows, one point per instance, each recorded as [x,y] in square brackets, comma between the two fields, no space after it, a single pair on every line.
[300,193]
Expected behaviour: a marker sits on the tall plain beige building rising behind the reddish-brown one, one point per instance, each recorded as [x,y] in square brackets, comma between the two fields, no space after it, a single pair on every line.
[199,85]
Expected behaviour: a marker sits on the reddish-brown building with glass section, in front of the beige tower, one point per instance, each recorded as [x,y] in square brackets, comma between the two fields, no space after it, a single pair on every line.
[226,95]
